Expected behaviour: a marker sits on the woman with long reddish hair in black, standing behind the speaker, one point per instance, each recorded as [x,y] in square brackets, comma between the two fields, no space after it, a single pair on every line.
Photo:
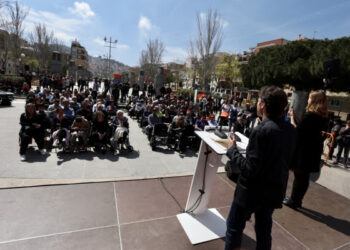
[310,145]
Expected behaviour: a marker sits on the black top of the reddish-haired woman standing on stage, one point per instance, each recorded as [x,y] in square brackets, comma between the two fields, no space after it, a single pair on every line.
[310,142]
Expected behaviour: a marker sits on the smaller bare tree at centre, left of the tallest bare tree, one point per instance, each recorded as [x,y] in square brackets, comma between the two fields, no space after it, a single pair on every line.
[151,57]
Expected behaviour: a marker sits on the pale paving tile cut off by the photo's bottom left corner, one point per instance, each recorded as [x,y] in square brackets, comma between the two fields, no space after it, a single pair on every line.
[101,239]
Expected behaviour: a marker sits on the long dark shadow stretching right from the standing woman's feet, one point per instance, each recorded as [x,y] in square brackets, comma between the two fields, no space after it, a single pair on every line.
[339,225]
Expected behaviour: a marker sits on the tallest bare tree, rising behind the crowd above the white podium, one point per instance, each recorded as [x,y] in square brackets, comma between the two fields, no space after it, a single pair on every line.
[206,45]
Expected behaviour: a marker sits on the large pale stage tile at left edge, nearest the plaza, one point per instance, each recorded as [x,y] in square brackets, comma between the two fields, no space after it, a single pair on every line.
[30,212]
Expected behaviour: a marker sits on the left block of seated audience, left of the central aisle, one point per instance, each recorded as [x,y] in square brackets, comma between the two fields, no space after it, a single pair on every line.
[73,122]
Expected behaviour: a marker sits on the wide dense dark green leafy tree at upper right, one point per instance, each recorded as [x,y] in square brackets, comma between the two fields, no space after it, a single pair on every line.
[299,64]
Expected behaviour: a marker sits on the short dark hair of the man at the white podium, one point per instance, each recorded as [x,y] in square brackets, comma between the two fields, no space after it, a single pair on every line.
[275,99]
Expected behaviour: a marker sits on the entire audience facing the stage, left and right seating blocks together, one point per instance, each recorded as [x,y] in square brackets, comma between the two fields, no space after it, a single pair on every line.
[89,117]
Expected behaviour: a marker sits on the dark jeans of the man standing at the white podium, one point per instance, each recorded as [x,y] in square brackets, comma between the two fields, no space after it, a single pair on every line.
[236,223]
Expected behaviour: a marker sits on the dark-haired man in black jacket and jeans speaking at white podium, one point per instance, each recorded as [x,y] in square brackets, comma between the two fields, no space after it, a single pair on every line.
[263,178]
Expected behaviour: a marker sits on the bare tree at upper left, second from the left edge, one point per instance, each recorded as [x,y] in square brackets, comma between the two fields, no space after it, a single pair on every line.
[41,39]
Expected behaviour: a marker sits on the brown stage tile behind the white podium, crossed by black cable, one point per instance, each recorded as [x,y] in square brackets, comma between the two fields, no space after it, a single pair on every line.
[141,200]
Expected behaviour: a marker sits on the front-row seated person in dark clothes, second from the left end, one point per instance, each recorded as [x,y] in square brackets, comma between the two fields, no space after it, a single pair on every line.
[61,128]
